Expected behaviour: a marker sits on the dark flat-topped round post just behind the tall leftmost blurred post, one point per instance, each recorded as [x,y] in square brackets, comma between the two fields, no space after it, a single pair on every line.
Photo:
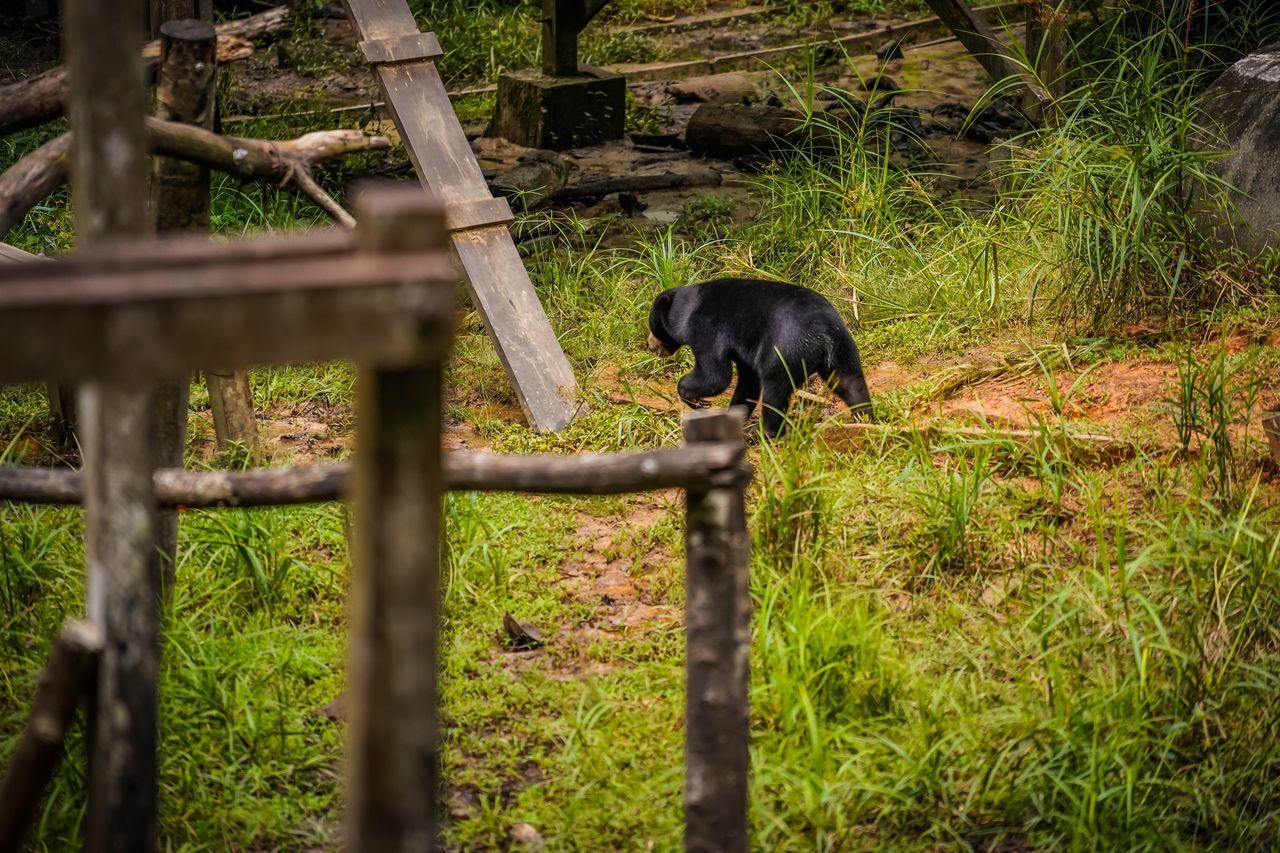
[186,80]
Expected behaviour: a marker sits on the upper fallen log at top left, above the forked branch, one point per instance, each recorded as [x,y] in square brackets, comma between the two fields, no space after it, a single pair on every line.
[44,98]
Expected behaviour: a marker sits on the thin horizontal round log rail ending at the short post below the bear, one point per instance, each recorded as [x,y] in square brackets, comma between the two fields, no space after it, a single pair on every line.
[705,466]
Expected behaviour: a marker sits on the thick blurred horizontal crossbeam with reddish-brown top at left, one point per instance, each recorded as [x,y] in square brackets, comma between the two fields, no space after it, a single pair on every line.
[231,316]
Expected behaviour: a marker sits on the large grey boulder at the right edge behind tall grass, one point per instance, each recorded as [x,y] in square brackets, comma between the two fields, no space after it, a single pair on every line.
[1242,111]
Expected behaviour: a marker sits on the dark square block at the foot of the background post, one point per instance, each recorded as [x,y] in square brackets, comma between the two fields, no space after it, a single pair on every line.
[560,113]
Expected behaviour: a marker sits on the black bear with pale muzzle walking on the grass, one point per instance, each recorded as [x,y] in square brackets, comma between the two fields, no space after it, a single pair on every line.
[776,335]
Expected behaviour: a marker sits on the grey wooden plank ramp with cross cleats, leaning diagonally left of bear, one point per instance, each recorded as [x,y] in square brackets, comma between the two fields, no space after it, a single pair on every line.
[405,62]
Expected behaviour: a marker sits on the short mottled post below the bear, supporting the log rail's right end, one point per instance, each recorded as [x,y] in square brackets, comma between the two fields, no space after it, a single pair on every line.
[719,630]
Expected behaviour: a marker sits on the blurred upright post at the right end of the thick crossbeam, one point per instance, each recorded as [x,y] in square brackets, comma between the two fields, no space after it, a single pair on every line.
[394,735]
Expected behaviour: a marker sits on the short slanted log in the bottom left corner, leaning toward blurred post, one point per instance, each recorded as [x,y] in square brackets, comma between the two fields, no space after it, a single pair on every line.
[67,678]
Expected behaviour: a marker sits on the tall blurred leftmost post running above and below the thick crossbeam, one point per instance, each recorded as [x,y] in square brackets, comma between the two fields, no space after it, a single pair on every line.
[109,175]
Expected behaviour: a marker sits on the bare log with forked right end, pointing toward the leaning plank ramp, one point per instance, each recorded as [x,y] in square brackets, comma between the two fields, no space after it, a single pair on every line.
[45,170]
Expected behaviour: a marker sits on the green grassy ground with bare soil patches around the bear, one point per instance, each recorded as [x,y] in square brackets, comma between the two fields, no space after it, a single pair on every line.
[950,647]
